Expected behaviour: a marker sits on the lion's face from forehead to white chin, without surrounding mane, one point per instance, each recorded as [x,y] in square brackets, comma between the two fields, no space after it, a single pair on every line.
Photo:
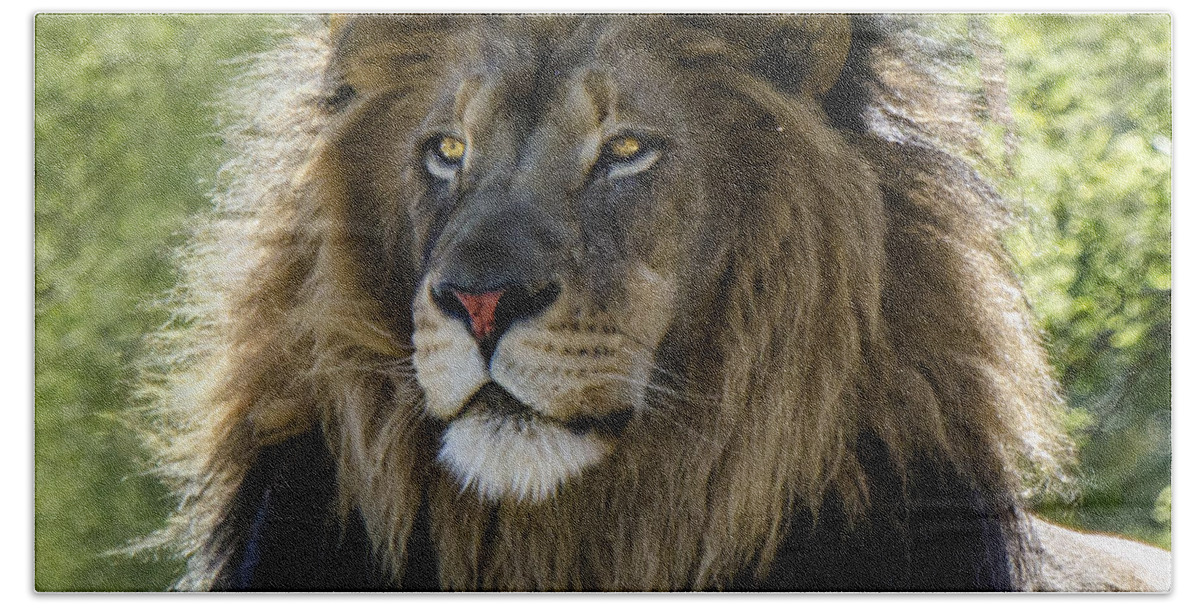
[543,294]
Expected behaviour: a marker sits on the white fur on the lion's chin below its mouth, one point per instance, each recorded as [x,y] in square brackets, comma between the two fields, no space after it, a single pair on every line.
[523,460]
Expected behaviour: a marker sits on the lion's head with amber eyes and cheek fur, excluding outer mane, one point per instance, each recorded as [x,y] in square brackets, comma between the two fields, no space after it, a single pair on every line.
[554,215]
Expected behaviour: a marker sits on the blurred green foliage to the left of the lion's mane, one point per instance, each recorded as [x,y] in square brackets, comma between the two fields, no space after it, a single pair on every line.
[123,131]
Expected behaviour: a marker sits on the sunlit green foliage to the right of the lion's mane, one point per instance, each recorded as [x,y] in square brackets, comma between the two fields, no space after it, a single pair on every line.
[1093,101]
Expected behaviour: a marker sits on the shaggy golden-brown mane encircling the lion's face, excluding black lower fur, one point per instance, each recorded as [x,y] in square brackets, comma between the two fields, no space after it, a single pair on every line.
[838,278]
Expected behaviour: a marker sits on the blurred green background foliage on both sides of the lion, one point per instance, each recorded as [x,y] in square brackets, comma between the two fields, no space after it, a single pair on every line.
[125,146]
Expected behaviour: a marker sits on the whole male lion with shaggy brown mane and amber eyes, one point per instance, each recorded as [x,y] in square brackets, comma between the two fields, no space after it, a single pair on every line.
[608,303]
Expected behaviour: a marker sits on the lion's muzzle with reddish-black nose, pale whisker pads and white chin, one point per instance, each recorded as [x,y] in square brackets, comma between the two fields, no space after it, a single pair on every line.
[515,428]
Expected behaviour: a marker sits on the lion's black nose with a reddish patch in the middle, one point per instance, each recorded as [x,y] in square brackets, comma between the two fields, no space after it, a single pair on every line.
[490,311]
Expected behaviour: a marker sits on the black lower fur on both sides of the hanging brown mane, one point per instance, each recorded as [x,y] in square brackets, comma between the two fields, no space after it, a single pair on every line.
[933,533]
